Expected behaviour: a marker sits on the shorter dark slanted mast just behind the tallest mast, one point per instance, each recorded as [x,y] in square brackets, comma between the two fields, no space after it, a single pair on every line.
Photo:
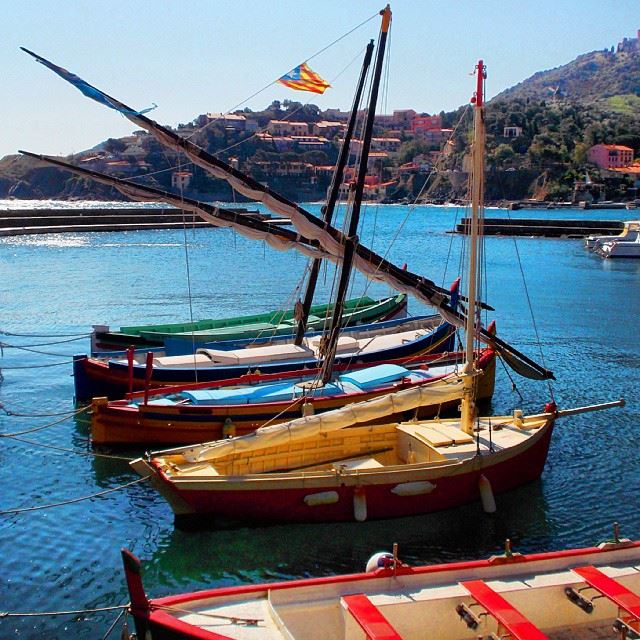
[327,213]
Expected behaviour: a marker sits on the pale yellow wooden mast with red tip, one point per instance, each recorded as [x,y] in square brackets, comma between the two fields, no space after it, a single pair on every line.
[477,196]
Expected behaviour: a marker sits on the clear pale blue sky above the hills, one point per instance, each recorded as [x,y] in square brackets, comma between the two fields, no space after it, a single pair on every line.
[210,55]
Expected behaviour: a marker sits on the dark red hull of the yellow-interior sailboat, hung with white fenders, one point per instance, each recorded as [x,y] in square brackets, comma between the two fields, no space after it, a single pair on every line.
[287,497]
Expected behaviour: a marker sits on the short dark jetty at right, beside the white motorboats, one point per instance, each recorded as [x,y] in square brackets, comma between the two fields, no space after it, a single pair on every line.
[545,228]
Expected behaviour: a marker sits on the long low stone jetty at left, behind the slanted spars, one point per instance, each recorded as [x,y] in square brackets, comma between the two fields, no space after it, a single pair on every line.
[29,221]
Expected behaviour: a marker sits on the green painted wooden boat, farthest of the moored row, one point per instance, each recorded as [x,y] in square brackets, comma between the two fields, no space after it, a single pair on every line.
[282,322]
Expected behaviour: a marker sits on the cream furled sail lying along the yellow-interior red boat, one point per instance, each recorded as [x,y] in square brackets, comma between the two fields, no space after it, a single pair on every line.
[445,390]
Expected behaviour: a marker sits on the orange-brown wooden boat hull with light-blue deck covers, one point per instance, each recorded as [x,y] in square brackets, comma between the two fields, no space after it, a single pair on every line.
[205,412]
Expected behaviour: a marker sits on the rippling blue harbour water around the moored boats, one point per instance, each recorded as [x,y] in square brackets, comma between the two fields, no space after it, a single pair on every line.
[67,558]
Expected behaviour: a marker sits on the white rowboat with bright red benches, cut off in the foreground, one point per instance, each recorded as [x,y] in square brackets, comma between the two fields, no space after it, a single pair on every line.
[589,593]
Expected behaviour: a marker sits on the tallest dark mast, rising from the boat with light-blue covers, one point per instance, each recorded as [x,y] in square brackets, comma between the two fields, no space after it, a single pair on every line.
[351,239]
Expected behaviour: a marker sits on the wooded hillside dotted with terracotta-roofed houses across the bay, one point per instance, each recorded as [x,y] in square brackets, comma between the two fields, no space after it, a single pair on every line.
[538,136]
